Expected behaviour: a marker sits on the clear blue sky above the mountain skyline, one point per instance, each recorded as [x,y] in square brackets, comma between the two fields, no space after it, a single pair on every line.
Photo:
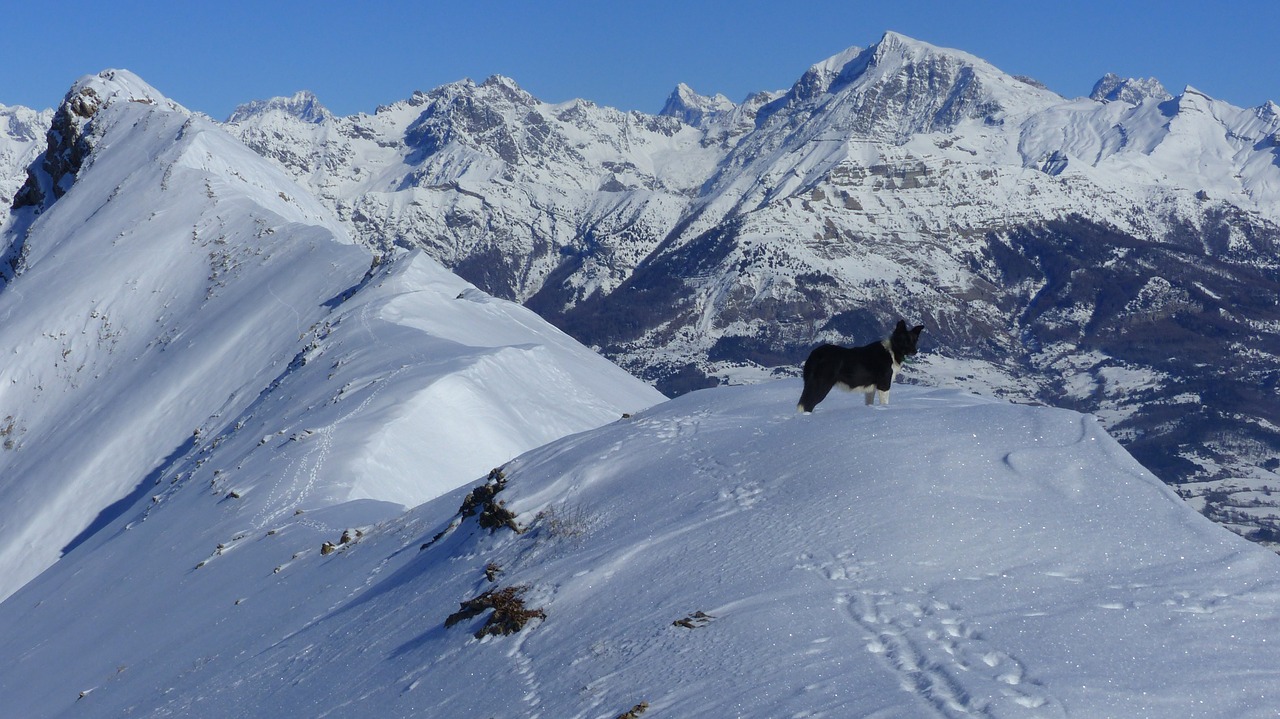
[355,56]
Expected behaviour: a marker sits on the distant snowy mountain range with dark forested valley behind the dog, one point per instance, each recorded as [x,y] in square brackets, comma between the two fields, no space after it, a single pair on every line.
[1114,254]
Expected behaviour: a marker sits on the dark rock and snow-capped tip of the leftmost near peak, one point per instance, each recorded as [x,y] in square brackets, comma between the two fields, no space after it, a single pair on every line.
[71,138]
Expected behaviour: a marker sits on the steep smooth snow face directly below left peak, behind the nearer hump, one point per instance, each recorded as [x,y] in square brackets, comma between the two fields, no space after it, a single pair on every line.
[152,299]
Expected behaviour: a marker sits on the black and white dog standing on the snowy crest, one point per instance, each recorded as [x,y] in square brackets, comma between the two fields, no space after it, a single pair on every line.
[868,369]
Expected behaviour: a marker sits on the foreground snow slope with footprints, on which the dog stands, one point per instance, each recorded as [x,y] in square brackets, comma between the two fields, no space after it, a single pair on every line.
[945,556]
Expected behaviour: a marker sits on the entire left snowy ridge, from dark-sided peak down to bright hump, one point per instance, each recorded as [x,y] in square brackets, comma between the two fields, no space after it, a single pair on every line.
[172,287]
